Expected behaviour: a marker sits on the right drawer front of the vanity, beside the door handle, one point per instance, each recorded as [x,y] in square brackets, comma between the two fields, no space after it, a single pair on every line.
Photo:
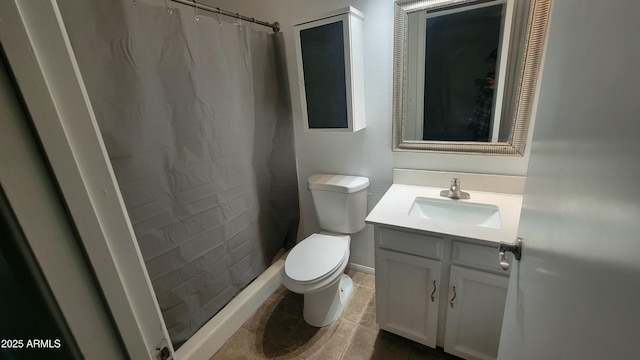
[477,256]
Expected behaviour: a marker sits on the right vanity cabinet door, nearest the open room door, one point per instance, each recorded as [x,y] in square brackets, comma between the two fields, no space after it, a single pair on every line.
[474,315]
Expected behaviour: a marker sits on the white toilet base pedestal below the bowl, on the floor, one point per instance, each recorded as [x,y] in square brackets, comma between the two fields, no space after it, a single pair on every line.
[323,307]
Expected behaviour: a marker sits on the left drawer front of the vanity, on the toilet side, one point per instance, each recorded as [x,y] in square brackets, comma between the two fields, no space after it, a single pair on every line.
[411,243]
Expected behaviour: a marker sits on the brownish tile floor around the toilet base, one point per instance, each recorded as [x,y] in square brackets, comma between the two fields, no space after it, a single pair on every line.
[278,331]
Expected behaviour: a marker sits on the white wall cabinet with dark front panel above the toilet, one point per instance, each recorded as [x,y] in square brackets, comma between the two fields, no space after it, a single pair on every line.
[329,56]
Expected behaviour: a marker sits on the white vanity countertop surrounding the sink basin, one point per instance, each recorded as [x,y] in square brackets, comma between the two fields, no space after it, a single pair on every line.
[393,210]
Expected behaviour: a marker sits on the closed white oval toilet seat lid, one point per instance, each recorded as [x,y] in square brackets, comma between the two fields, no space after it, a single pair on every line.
[315,258]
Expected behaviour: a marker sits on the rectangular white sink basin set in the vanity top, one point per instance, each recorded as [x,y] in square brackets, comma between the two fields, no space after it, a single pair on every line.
[456,211]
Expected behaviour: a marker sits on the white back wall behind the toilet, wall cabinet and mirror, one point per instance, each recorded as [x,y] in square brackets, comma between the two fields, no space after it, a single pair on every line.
[368,152]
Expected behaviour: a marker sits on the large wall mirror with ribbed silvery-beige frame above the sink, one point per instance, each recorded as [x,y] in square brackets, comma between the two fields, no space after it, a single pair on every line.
[465,73]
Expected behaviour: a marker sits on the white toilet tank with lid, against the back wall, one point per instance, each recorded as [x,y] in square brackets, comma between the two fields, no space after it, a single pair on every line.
[340,201]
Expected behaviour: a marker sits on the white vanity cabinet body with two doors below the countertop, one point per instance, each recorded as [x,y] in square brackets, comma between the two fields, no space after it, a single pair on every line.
[440,290]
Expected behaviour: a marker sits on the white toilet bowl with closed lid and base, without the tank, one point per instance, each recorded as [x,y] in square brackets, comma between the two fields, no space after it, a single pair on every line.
[315,268]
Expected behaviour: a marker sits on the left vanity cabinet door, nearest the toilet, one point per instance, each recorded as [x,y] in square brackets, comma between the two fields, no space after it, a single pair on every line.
[407,291]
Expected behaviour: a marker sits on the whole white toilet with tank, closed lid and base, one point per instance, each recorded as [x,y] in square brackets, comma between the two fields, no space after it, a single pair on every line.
[315,266]
